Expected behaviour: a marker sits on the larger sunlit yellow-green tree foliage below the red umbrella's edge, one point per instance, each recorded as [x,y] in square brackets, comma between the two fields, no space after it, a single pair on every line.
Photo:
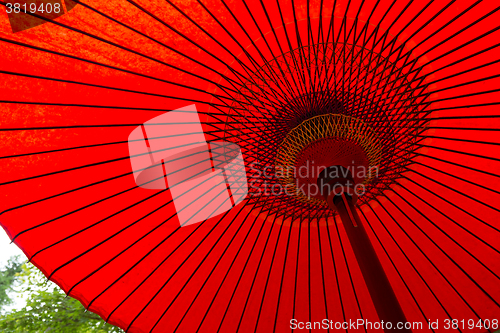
[48,309]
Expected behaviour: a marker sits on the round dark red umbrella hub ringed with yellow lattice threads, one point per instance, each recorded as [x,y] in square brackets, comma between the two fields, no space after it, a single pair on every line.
[324,141]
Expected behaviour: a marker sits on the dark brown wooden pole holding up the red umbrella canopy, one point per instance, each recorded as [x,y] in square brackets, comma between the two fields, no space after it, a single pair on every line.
[379,287]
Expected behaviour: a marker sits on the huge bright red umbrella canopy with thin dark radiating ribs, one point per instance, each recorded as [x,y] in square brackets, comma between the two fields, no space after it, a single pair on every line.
[407,87]
